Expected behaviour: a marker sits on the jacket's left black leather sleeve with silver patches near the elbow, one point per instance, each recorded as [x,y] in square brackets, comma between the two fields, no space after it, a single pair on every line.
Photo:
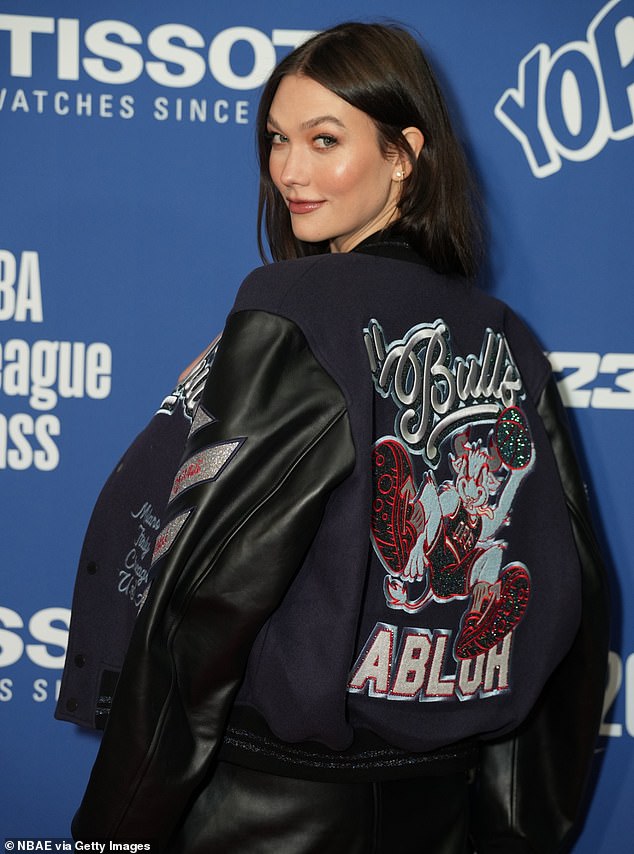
[250,519]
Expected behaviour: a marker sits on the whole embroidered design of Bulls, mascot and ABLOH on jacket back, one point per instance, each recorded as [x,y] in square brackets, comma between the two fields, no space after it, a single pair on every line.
[443,490]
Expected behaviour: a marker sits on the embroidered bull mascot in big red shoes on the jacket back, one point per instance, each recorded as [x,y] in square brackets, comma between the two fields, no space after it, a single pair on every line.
[441,538]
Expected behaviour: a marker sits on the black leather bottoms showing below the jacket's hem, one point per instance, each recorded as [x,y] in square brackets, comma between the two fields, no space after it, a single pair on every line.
[242,811]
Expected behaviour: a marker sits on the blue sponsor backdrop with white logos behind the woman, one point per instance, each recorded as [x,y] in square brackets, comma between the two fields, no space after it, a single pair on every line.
[127,212]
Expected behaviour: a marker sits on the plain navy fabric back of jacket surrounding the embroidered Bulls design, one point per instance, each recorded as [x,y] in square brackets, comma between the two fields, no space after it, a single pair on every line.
[297,674]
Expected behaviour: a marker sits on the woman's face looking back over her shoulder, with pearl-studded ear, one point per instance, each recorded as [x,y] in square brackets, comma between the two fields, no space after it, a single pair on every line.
[326,162]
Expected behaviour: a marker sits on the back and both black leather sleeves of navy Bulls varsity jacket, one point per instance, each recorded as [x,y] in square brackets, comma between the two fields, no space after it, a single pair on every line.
[377,555]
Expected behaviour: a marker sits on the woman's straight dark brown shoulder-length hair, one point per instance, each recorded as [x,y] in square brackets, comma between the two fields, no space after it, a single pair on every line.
[381,70]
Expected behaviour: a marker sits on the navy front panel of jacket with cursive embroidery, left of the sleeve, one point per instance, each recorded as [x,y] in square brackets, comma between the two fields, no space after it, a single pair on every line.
[114,570]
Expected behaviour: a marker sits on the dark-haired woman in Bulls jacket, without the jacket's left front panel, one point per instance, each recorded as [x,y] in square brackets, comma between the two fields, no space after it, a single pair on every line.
[370,584]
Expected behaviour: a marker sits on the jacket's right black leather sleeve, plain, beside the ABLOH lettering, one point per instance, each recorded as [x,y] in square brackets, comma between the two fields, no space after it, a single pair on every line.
[531,785]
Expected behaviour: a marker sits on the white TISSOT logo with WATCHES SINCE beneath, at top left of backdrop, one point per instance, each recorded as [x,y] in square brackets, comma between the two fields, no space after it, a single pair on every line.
[51,59]
